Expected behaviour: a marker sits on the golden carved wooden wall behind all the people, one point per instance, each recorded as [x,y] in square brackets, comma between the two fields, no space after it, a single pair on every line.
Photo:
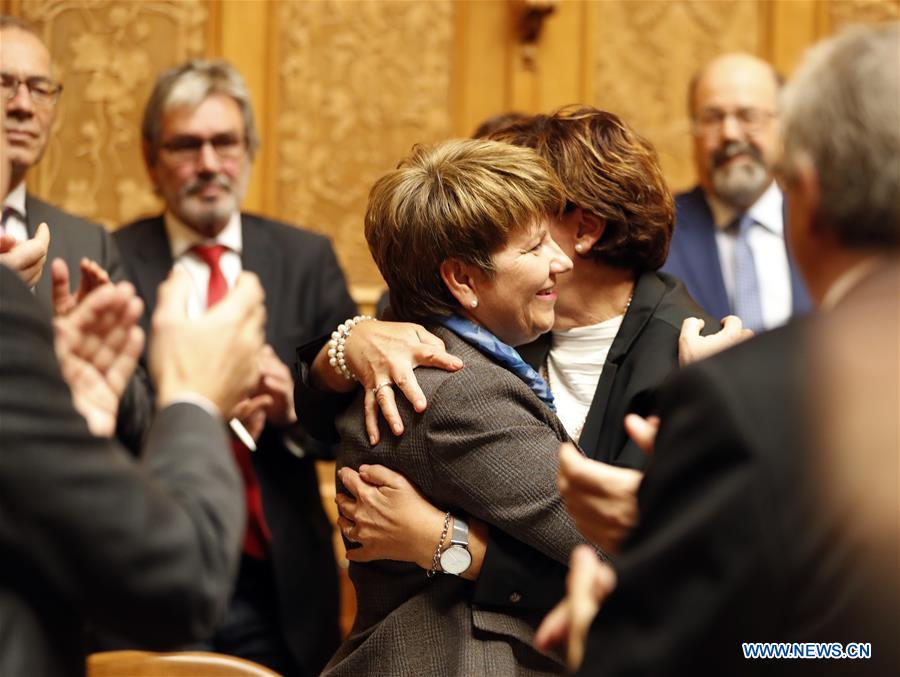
[343,88]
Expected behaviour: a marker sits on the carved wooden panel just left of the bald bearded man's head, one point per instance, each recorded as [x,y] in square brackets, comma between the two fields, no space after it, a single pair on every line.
[646,54]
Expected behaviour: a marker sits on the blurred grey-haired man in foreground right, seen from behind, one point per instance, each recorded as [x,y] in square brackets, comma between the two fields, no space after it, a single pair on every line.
[746,535]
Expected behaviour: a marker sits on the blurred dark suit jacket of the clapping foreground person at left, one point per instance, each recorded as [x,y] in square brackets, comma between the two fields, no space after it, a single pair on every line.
[89,535]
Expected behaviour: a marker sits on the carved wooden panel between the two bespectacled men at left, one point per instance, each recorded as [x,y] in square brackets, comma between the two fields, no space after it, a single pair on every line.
[107,54]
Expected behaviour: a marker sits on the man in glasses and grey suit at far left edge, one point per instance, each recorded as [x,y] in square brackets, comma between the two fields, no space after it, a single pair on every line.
[30,95]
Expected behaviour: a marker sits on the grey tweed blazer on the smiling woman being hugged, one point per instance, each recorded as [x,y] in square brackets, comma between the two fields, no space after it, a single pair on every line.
[485,447]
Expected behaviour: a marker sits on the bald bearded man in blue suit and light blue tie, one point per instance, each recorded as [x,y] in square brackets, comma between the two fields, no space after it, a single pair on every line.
[729,244]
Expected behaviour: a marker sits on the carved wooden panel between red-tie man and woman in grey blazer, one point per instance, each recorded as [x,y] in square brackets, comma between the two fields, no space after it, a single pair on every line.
[359,84]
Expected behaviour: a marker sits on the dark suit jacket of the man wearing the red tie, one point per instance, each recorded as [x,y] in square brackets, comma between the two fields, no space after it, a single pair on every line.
[306,296]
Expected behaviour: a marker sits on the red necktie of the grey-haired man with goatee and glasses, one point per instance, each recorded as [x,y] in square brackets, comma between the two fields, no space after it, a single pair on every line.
[257,536]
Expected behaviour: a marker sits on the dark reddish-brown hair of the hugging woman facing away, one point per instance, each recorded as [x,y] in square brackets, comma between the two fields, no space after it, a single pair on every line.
[608,169]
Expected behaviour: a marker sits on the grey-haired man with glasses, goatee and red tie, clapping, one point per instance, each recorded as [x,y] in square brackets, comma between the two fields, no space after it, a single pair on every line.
[199,140]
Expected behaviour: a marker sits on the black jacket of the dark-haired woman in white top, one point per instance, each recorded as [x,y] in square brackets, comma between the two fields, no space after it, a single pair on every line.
[643,354]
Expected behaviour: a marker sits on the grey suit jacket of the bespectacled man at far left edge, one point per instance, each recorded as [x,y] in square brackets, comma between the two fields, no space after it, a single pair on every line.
[71,239]
